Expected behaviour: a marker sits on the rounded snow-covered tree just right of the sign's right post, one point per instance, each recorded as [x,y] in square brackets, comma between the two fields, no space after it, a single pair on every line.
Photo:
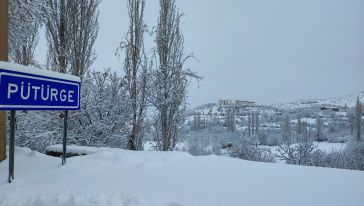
[104,116]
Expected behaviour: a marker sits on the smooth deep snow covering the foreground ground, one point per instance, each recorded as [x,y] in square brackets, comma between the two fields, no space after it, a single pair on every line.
[118,177]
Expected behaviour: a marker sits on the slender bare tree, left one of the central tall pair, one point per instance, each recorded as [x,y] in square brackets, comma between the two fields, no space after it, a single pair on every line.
[137,71]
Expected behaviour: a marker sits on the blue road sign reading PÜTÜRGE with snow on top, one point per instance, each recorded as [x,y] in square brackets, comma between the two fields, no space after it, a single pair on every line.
[25,88]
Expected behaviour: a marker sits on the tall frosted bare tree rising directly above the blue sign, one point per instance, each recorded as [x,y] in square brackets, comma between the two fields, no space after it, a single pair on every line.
[71,33]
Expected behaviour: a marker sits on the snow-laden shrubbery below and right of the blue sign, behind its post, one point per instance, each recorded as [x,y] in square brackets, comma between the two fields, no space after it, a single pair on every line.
[102,121]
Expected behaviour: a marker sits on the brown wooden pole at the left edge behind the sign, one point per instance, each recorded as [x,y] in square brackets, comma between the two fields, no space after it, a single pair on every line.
[3,57]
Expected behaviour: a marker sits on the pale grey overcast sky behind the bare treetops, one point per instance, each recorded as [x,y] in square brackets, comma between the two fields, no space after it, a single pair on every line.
[262,50]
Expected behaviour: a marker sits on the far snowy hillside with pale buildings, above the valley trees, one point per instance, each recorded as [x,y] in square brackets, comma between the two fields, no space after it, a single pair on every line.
[332,115]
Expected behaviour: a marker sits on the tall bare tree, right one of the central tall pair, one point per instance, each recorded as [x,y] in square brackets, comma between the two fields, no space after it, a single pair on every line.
[172,78]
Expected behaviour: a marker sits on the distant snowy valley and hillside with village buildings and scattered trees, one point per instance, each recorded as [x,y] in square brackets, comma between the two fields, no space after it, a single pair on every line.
[323,122]
